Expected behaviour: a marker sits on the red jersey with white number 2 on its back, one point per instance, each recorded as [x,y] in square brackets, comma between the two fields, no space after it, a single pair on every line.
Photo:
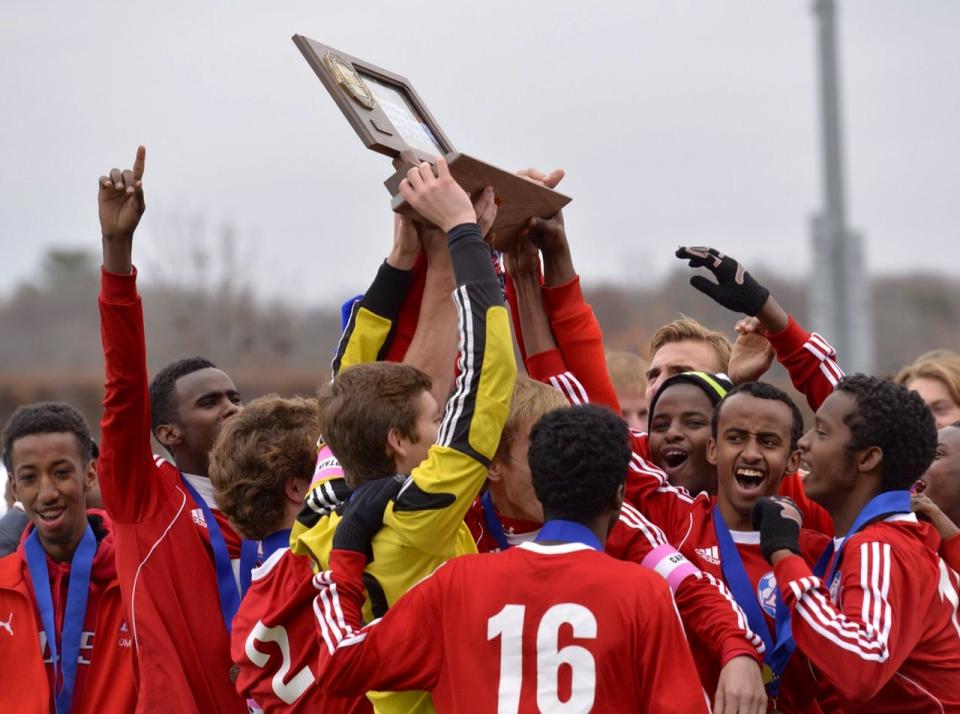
[274,641]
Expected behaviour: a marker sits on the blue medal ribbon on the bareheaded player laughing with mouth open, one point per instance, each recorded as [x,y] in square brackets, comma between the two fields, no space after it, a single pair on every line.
[776,654]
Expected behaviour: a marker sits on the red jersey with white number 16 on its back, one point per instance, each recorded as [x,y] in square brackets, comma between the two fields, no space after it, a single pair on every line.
[525,630]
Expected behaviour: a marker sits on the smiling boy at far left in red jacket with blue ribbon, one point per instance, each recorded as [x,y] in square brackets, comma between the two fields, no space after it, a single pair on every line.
[61,582]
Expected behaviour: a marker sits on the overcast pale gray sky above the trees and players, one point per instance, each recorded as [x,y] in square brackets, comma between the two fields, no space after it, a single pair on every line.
[677,122]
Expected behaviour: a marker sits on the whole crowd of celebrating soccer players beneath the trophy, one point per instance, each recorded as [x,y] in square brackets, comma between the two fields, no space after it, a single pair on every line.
[658,536]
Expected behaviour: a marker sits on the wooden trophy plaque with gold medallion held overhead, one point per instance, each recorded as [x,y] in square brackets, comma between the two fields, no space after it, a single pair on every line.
[389,117]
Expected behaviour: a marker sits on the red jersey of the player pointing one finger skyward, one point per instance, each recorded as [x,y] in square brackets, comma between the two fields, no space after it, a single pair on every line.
[163,552]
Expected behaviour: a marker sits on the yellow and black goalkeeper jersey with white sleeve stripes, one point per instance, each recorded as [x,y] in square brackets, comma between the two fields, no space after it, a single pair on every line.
[423,527]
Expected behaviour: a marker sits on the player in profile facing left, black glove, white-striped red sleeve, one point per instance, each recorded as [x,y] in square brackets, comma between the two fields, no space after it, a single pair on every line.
[877,616]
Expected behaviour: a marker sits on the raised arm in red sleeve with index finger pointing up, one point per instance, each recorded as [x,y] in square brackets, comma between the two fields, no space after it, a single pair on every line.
[126,467]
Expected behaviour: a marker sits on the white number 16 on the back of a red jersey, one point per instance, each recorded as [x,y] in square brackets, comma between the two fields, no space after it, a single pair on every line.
[508,626]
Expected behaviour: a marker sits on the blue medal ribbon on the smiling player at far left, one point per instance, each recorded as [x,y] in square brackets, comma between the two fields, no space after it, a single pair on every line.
[65,655]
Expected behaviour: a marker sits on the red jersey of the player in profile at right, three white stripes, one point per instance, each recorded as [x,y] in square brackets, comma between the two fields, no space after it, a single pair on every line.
[885,634]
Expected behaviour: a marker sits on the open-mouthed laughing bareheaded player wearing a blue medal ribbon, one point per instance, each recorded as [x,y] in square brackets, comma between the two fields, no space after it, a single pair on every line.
[755,429]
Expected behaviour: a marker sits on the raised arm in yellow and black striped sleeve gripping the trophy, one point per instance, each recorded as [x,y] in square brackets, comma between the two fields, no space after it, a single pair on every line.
[431,507]
